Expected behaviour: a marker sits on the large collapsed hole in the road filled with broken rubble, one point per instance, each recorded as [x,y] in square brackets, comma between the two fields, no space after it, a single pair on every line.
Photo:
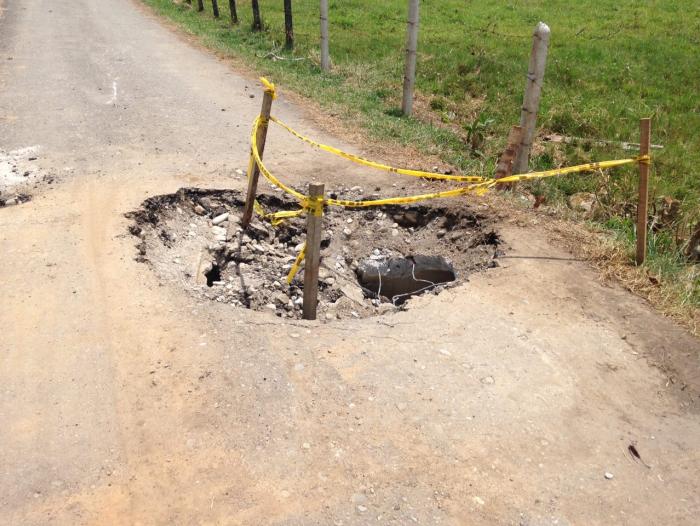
[193,239]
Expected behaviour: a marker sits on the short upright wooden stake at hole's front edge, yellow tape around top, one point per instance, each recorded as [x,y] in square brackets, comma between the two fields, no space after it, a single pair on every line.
[314,221]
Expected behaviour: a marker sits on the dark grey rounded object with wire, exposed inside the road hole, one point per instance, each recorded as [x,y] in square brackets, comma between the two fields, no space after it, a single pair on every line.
[399,278]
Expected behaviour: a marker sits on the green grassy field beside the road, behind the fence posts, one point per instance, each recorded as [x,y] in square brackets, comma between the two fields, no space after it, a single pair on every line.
[610,63]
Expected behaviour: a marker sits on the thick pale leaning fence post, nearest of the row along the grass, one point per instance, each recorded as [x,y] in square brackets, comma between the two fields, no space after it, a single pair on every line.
[531,100]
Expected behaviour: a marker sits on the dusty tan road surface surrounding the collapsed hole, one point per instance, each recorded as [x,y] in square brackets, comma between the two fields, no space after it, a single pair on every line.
[122,401]
